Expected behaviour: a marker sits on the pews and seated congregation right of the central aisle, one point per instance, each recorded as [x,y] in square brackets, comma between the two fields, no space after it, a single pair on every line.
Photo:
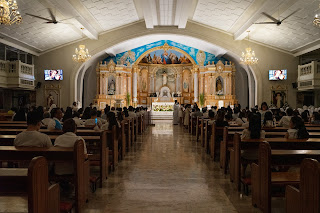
[266,152]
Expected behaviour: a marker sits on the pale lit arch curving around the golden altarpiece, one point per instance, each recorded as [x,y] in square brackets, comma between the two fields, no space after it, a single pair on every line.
[246,90]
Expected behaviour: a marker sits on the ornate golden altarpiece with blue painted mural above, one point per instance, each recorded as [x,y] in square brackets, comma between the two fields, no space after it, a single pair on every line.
[163,72]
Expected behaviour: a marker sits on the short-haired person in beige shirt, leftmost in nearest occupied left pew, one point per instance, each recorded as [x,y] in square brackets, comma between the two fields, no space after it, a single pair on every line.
[32,137]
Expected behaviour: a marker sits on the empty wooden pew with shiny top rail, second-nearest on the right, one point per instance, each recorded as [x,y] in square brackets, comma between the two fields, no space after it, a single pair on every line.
[263,179]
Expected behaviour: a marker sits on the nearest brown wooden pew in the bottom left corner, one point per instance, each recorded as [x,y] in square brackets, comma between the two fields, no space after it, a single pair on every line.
[34,182]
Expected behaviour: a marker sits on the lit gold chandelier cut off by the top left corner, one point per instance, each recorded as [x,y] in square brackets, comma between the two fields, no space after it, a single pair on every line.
[9,13]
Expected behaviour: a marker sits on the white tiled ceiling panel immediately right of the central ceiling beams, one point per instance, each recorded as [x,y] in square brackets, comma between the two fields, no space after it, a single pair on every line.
[221,14]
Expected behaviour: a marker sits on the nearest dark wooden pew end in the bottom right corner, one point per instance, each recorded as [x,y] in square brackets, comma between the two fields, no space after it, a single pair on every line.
[306,199]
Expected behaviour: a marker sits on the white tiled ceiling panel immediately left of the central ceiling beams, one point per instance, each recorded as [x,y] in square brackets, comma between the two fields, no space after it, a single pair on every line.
[110,14]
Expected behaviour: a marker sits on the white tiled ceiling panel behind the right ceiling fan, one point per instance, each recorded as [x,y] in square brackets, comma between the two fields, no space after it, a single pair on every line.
[295,32]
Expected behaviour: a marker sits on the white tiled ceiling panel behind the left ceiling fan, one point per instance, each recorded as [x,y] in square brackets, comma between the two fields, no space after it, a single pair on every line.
[34,32]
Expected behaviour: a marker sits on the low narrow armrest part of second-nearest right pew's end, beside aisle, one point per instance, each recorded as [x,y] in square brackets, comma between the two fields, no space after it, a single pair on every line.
[255,180]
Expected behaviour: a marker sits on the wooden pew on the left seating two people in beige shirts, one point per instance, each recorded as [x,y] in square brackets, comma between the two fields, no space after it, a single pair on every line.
[57,154]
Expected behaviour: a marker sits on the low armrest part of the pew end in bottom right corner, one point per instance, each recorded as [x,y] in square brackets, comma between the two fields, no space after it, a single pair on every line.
[292,200]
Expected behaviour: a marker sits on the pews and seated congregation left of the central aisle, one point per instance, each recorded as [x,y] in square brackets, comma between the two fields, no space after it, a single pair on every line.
[55,157]
